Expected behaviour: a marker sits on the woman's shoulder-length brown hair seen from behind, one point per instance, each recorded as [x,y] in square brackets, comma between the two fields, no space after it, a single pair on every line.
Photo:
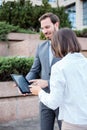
[65,41]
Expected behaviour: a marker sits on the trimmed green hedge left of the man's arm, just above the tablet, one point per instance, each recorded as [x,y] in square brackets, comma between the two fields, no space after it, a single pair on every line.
[17,65]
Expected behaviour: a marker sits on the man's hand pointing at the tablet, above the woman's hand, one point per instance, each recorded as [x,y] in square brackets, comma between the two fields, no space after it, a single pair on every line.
[40,82]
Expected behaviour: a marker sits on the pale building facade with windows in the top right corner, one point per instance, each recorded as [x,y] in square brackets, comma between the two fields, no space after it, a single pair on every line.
[77,10]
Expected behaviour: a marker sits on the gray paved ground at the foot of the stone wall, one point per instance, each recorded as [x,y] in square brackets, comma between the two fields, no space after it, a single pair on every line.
[27,124]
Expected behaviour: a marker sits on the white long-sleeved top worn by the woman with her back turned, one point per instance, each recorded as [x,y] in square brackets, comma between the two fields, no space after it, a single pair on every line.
[68,84]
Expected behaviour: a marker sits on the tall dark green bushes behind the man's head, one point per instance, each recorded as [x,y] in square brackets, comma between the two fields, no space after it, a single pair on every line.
[25,15]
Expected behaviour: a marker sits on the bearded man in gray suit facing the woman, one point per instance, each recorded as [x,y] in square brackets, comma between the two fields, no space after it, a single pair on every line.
[42,68]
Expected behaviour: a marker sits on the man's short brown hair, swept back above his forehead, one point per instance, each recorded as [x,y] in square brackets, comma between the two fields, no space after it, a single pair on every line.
[54,18]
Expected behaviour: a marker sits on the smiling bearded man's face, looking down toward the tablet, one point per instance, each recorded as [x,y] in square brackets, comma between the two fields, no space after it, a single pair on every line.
[48,28]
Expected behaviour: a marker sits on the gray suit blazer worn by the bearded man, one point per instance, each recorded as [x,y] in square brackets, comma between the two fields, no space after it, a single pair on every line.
[41,67]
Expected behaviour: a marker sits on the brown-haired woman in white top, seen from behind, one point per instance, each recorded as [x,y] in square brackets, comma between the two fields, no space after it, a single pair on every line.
[68,82]
